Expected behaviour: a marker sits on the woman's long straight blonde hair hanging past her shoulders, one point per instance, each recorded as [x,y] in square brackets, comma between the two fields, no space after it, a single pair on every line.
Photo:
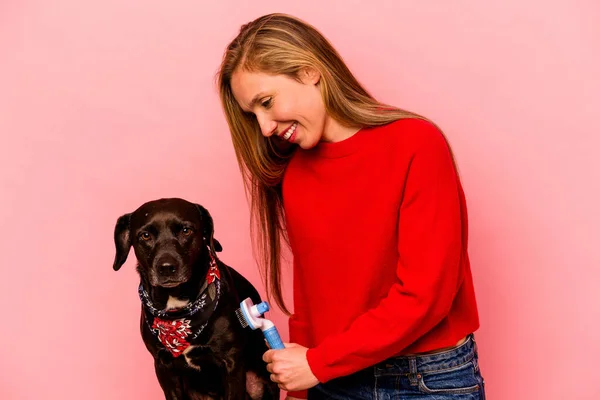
[281,44]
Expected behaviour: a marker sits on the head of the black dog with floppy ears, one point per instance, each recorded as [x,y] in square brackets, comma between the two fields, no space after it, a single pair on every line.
[169,237]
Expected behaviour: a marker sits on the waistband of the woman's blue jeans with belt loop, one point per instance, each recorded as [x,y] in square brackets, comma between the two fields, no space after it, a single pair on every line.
[446,359]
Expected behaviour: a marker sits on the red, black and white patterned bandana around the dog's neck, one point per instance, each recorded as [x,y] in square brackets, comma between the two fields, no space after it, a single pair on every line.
[175,328]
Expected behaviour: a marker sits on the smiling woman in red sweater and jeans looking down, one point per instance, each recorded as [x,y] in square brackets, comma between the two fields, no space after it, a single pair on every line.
[369,200]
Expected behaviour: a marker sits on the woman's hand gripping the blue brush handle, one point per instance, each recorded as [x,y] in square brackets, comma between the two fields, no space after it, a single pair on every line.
[289,368]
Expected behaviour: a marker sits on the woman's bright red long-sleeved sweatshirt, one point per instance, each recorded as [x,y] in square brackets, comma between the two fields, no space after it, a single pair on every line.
[378,229]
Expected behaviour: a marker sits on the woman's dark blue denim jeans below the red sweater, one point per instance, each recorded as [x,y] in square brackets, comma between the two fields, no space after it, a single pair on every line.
[449,374]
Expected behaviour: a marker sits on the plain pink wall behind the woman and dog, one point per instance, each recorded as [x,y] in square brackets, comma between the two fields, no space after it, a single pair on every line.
[107,104]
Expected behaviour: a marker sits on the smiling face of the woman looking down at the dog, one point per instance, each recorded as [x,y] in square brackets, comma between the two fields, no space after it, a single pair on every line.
[293,110]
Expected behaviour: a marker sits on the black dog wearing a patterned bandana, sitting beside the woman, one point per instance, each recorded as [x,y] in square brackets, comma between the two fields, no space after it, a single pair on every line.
[189,298]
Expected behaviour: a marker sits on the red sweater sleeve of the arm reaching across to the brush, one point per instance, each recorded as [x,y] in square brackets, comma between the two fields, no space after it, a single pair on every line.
[427,272]
